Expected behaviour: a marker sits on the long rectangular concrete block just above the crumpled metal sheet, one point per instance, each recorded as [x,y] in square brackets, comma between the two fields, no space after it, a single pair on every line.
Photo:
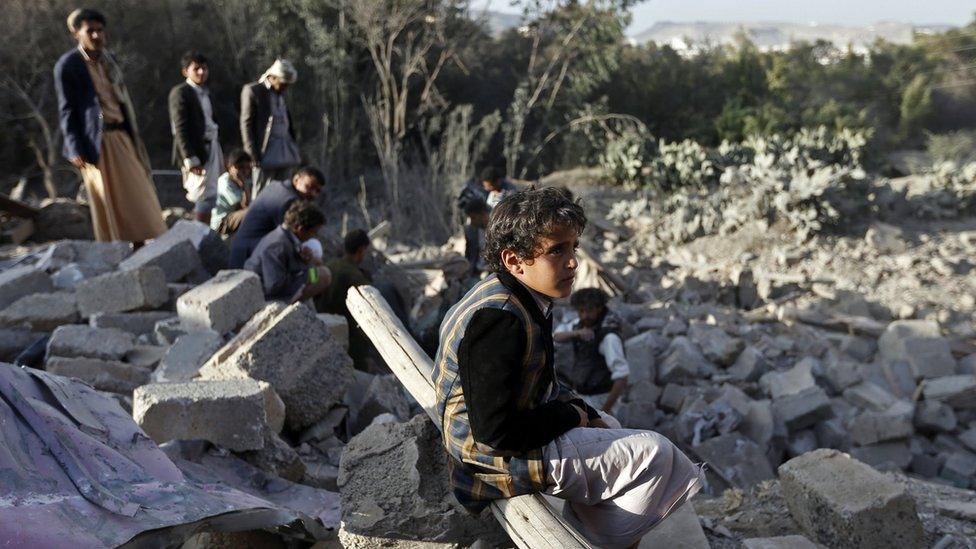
[233,413]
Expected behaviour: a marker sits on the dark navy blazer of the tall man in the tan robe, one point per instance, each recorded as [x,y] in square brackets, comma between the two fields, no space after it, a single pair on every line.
[79,113]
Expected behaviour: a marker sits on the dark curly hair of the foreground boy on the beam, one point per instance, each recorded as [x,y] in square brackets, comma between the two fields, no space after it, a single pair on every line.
[522,219]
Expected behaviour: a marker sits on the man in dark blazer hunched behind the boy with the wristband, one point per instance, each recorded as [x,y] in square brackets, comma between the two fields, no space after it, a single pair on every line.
[267,211]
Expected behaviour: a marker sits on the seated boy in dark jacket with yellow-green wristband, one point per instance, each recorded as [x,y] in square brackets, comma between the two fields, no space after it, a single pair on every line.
[289,270]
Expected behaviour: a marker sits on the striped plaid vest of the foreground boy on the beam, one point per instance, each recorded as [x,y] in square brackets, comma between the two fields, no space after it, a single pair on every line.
[479,473]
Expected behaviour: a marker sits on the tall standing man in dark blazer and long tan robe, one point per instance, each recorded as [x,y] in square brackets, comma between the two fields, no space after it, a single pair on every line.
[101,137]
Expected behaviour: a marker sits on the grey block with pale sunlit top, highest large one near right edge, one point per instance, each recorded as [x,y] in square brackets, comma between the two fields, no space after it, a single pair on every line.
[920,344]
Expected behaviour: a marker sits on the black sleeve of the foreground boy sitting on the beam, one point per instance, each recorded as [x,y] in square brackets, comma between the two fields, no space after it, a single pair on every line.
[489,366]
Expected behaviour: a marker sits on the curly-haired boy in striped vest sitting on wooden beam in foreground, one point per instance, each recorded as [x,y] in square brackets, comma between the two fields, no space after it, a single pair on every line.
[509,427]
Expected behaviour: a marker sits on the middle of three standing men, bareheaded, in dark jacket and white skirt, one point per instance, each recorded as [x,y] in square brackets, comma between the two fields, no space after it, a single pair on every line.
[196,148]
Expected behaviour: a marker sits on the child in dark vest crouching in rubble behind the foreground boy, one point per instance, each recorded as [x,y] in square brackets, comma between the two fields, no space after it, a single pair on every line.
[599,369]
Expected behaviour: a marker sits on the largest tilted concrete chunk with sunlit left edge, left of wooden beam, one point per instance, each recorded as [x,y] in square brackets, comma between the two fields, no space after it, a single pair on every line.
[290,348]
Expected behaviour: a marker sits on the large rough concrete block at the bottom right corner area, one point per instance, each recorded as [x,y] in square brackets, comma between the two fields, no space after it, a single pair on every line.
[841,502]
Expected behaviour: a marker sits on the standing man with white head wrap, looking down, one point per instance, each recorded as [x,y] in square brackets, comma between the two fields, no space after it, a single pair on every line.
[266,128]
